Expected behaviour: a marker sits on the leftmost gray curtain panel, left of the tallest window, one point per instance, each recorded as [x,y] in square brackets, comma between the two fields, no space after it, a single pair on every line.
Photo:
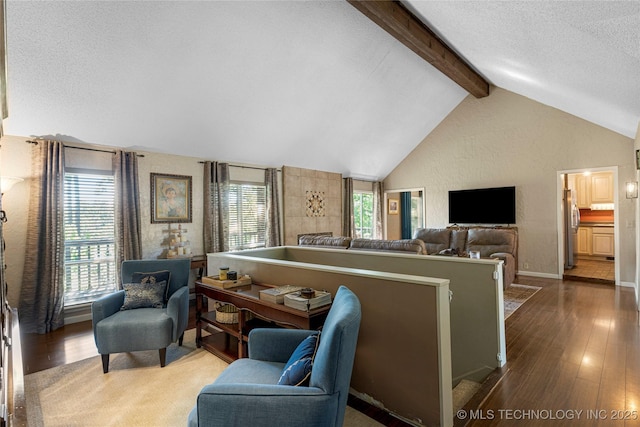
[41,306]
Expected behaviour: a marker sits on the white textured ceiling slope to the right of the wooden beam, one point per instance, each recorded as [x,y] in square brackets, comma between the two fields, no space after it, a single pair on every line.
[582,57]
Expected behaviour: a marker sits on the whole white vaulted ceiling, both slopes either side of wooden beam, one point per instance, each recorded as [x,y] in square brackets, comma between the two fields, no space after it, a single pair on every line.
[313,84]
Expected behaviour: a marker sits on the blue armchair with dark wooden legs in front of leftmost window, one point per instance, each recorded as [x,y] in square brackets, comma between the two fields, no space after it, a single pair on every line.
[139,329]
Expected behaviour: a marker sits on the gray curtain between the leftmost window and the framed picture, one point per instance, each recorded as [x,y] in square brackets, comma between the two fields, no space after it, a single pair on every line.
[129,230]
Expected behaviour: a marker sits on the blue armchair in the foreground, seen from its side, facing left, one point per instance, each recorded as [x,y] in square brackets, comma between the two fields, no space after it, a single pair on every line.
[246,392]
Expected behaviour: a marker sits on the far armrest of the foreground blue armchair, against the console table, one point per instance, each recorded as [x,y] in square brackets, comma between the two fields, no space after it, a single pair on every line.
[275,345]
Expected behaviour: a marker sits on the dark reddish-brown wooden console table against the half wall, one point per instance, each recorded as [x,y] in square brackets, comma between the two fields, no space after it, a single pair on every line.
[228,341]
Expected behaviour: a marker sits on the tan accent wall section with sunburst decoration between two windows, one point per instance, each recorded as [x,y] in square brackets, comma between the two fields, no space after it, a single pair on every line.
[312,202]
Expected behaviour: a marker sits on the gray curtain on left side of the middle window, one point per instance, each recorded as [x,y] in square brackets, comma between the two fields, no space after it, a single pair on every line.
[216,207]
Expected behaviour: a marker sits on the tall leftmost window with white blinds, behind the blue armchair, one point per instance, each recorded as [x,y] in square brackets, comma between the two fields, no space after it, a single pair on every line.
[89,236]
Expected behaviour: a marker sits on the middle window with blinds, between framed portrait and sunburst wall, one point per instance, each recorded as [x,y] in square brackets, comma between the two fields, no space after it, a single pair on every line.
[247,216]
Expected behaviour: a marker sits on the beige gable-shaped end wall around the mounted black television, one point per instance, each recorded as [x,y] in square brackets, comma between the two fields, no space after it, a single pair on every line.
[506,139]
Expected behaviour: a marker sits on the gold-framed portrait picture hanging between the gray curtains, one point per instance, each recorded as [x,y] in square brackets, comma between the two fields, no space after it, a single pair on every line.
[170,198]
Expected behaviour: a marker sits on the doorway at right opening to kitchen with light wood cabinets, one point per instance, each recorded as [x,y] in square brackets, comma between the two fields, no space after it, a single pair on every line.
[588,233]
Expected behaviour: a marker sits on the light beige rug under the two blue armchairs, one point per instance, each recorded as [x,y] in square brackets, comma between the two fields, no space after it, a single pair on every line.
[135,392]
